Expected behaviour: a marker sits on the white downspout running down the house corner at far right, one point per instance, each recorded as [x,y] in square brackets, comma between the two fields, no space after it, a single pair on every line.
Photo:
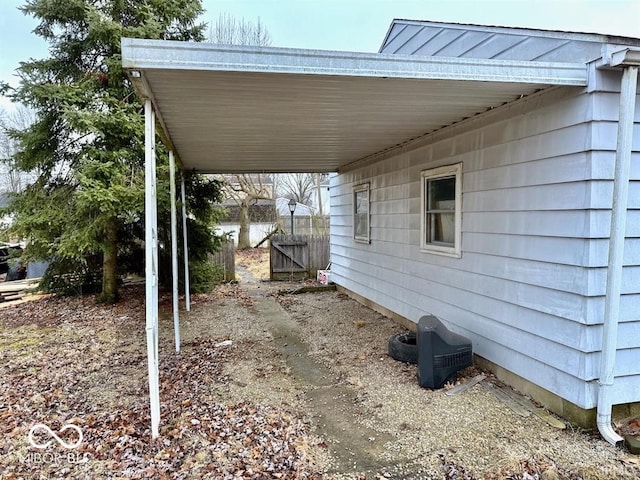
[616,251]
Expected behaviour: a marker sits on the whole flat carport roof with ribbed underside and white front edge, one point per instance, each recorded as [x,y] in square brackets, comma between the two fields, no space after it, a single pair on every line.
[225,109]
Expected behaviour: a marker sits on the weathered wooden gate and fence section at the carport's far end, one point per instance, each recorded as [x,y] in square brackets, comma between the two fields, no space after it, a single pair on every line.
[298,256]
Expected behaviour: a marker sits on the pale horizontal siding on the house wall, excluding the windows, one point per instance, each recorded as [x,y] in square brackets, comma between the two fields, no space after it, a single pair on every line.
[529,287]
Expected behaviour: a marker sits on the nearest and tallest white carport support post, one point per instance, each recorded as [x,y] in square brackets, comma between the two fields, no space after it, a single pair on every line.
[151,263]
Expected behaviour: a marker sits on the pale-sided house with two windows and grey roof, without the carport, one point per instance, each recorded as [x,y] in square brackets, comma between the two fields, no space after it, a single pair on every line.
[500,224]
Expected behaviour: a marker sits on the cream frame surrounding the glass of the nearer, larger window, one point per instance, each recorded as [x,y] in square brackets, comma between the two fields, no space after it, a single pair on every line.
[431,174]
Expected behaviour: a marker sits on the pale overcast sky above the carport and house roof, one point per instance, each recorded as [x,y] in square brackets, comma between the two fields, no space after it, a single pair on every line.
[356,25]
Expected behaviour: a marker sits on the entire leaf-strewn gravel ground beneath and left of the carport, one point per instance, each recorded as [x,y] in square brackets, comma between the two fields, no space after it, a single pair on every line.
[246,411]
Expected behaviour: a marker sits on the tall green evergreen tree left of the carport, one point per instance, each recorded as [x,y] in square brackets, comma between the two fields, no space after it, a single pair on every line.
[86,146]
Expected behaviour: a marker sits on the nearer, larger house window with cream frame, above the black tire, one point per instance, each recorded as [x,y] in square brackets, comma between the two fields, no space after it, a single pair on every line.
[442,210]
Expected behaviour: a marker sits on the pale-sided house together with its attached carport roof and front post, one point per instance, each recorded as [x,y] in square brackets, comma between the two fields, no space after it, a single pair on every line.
[482,177]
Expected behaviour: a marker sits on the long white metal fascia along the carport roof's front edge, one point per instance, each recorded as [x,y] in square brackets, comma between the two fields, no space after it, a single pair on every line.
[143,54]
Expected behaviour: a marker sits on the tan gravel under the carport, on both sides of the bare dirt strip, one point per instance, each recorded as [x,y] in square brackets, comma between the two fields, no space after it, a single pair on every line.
[431,435]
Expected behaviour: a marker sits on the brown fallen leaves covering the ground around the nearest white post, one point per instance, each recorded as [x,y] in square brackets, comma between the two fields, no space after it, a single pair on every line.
[72,361]
